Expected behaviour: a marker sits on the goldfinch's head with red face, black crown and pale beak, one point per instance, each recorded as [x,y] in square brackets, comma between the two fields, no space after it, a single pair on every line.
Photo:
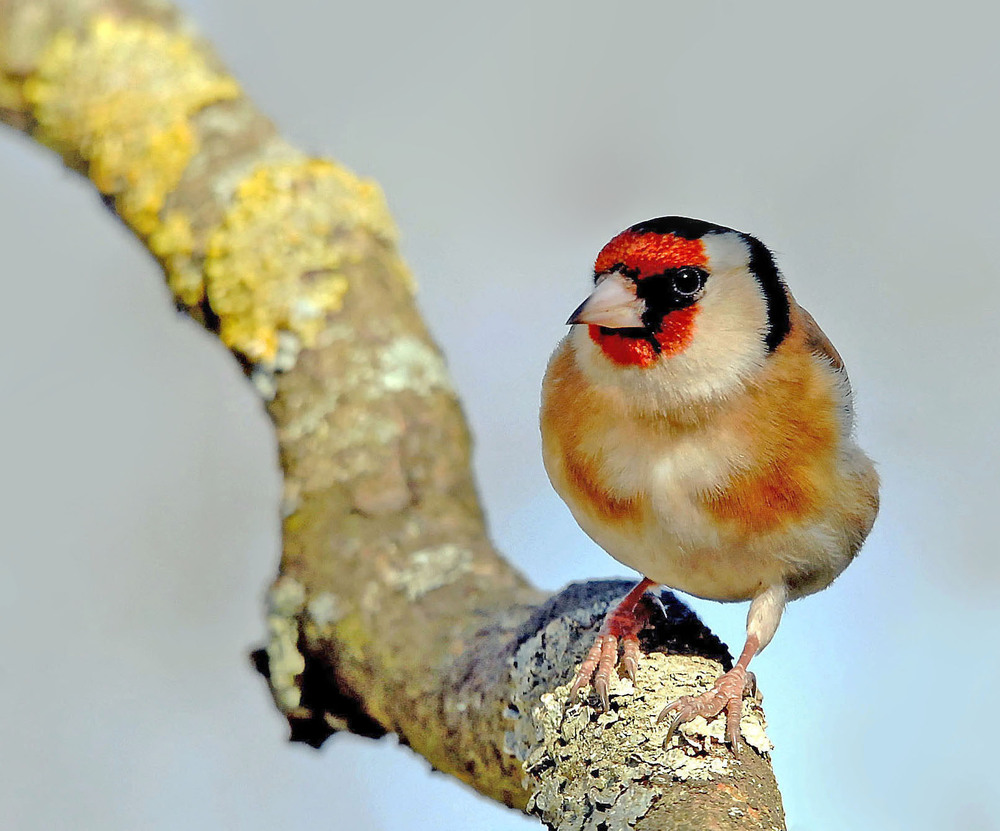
[683,311]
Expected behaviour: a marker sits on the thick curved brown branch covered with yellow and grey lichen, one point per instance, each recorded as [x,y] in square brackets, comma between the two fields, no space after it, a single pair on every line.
[392,611]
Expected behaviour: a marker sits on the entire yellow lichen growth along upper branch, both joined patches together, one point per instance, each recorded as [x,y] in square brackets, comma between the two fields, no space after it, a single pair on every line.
[117,100]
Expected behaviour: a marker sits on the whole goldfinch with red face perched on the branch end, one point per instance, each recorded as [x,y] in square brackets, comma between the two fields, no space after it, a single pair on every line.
[699,425]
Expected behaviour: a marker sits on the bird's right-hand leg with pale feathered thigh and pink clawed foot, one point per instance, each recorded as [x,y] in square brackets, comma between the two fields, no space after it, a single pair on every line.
[728,691]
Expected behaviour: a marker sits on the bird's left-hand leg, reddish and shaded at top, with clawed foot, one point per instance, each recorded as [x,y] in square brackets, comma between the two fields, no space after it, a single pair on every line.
[622,625]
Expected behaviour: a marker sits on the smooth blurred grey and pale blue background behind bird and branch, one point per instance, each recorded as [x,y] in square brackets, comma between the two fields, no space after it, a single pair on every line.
[138,518]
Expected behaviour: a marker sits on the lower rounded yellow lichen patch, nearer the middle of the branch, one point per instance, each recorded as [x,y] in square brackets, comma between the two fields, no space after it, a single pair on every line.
[276,262]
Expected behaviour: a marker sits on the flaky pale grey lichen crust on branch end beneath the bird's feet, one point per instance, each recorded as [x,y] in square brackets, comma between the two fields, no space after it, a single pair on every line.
[593,770]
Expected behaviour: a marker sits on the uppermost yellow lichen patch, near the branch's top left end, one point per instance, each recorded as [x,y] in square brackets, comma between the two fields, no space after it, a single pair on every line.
[120,97]
